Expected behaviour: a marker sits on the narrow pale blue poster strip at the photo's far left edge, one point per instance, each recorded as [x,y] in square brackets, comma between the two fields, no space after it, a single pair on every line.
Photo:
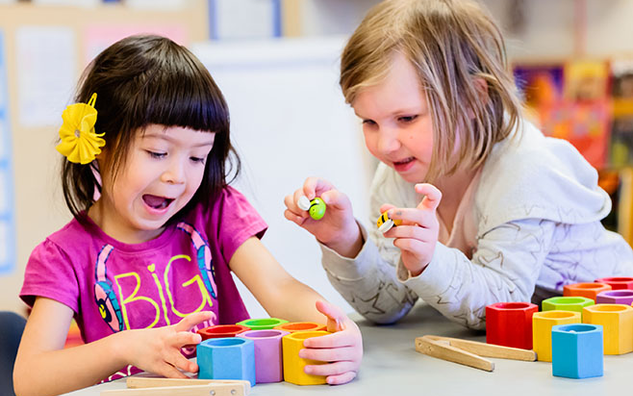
[7,241]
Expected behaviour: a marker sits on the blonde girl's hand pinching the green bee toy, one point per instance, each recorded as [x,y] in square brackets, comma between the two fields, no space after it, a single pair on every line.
[338,229]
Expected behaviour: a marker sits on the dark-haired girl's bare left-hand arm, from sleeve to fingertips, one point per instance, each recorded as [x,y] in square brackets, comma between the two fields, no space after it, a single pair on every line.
[43,367]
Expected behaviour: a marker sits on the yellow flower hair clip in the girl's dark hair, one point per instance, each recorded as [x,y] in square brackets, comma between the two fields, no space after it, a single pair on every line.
[79,142]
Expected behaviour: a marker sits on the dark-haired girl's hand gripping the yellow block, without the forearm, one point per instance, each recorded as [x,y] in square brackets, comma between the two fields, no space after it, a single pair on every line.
[343,350]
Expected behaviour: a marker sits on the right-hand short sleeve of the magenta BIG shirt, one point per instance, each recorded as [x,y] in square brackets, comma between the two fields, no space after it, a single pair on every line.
[237,221]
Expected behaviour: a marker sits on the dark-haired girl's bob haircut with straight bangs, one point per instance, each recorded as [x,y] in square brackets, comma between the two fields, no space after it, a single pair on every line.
[144,80]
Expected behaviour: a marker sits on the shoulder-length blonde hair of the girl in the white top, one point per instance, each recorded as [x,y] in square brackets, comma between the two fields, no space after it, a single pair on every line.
[456,49]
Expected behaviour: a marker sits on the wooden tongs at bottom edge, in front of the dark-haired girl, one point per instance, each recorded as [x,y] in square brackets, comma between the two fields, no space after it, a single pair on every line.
[144,386]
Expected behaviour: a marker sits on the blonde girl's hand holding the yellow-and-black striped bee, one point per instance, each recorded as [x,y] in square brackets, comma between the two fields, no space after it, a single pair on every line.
[417,235]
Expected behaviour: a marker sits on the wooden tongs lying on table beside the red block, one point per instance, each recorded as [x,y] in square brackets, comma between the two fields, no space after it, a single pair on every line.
[469,353]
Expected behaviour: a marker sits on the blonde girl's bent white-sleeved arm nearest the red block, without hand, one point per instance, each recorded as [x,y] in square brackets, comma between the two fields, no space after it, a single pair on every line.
[504,268]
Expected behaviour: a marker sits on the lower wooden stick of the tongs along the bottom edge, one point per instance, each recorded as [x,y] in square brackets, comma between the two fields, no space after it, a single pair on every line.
[190,390]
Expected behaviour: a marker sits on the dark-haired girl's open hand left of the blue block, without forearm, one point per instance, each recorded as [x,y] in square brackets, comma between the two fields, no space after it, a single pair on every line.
[158,350]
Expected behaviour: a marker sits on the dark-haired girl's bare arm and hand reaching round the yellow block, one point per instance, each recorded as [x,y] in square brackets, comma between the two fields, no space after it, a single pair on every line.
[284,297]
